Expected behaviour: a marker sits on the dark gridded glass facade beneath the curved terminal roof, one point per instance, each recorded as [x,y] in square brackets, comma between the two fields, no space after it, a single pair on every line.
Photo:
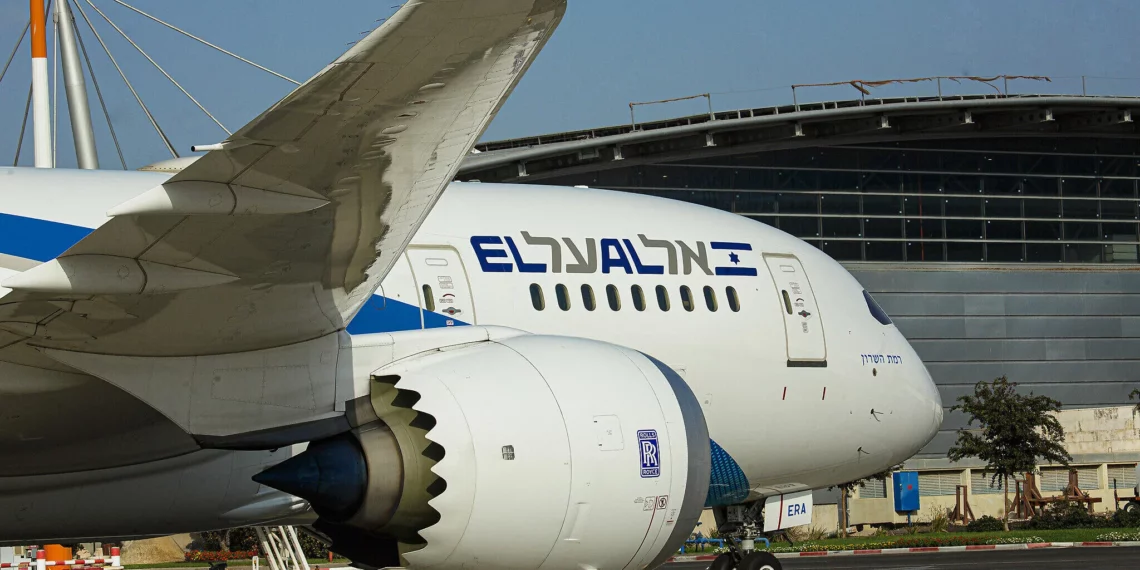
[1003,200]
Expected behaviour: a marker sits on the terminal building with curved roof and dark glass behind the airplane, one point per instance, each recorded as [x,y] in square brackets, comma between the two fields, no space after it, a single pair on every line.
[1000,233]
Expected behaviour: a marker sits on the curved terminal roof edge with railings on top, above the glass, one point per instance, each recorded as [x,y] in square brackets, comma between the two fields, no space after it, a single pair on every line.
[830,124]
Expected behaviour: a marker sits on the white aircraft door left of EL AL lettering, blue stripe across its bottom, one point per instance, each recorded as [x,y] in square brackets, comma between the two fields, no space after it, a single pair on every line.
[445,294]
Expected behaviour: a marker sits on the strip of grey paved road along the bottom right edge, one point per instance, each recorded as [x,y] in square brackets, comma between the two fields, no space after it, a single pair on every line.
[1047,558]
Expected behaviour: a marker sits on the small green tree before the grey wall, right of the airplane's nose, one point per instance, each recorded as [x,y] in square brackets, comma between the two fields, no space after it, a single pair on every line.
[1014,431]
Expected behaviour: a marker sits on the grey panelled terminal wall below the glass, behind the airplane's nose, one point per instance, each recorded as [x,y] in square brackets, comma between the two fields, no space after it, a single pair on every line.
[1069,332]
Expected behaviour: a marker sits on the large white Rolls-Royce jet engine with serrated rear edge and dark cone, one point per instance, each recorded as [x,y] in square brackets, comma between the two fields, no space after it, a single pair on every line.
[530,452]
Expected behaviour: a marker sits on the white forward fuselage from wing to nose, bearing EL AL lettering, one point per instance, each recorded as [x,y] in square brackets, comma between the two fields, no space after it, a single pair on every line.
[769,402]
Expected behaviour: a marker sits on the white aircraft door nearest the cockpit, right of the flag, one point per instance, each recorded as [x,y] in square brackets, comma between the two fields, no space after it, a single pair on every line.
[803,322]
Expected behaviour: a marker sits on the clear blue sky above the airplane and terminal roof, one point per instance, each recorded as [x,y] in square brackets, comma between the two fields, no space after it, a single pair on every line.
[607,54]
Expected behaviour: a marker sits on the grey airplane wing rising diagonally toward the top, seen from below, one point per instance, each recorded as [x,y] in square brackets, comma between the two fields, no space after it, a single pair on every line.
[282,233]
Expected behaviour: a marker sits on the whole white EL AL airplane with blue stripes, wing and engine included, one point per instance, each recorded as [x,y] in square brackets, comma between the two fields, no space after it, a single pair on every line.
[312,324]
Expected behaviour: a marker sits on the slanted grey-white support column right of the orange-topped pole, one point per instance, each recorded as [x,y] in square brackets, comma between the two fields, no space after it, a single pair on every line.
[86,156]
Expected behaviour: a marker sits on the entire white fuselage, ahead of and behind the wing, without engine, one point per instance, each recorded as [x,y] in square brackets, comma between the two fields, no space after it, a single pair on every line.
[801,385]
